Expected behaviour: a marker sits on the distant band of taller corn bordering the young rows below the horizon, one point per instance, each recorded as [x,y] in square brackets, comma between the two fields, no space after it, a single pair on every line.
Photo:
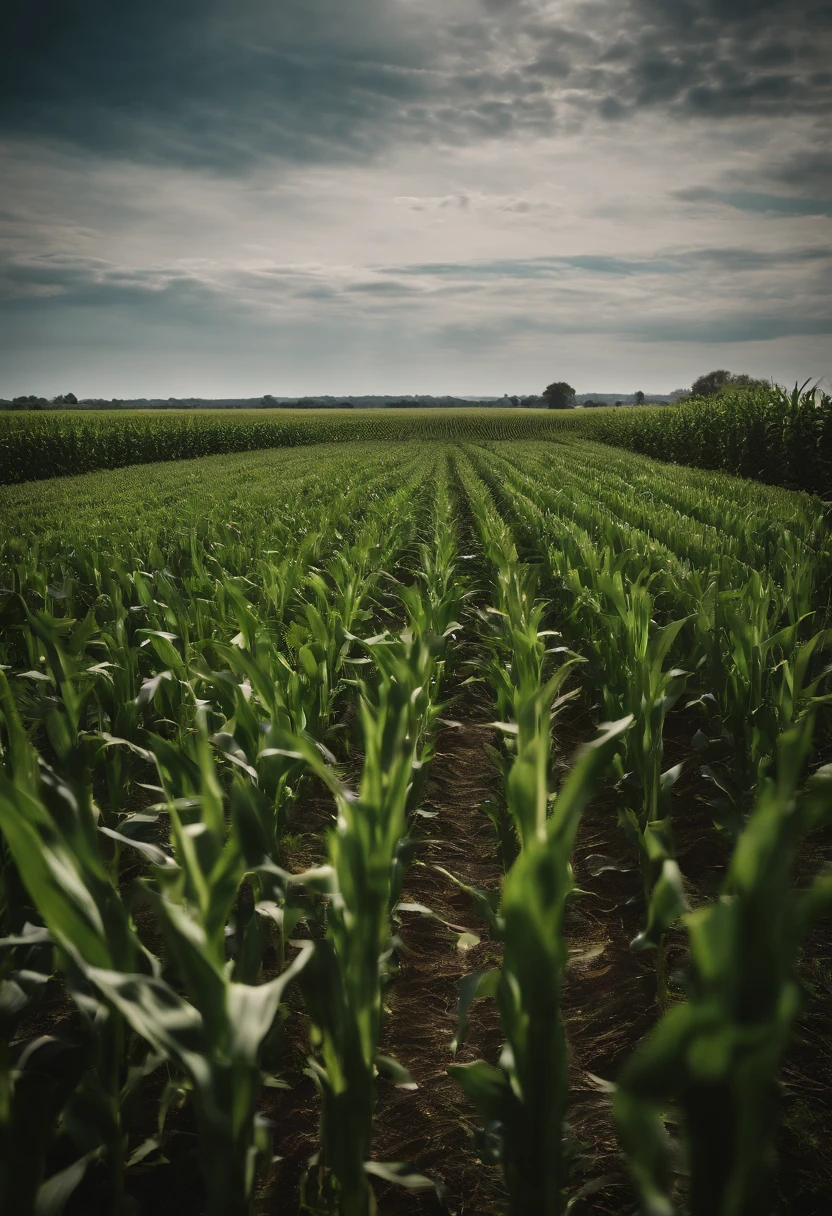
[772,436]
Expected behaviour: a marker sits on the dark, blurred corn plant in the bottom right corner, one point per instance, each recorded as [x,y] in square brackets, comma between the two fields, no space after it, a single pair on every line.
[717,1056]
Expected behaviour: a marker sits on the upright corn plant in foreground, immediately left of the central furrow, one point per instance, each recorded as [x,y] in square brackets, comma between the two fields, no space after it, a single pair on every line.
[345,983]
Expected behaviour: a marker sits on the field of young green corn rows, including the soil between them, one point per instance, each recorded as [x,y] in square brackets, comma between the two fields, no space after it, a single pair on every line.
[419,823]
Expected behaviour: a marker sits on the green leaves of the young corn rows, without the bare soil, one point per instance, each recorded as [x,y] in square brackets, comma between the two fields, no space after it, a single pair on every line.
[183,646]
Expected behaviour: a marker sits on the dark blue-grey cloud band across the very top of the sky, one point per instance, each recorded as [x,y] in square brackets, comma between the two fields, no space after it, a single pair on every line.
[224,85]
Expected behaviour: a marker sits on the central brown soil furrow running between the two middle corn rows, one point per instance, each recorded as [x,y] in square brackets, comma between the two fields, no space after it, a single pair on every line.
[432,1125]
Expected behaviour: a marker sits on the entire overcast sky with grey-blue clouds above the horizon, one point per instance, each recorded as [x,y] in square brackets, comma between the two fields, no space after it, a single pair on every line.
[232,198]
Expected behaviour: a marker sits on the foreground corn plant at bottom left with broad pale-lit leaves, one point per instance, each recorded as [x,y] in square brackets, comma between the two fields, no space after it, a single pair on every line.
[210,1028]
